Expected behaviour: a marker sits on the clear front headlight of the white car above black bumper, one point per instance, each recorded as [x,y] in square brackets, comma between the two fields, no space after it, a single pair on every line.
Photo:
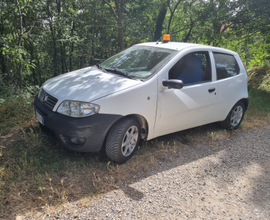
[78,109]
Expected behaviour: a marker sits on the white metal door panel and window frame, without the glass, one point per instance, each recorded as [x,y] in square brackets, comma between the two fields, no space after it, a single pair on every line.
[184,108]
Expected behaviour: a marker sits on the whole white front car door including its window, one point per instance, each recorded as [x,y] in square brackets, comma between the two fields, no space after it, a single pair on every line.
[191,106]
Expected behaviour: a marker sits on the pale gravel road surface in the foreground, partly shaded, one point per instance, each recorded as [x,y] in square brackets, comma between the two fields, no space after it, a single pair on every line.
[227,179]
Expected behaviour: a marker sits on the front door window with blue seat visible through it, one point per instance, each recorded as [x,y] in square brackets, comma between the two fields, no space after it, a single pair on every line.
[192,68]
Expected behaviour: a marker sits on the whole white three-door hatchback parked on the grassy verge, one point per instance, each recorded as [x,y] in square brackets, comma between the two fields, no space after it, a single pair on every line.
[145,91]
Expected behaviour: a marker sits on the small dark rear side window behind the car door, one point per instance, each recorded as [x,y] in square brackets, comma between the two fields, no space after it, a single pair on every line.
[226,65]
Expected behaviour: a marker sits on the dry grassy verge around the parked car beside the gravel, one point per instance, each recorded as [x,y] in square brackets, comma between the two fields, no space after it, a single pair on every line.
[37,174]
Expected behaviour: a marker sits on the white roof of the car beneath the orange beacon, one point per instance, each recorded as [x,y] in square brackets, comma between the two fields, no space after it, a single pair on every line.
[180,46]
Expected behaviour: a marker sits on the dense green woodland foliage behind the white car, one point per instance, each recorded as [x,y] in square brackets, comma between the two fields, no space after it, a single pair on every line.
[42,39]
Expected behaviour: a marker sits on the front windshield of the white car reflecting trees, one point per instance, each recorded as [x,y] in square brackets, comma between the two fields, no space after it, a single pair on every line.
[138,61]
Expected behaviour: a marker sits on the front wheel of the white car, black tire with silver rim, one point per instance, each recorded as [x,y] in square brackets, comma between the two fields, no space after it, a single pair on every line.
[123,140]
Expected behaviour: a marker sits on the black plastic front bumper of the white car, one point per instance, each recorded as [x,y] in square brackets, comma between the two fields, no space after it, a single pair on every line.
[63,129]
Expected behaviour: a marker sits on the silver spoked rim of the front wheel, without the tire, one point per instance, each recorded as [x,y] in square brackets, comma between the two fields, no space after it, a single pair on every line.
[129,141]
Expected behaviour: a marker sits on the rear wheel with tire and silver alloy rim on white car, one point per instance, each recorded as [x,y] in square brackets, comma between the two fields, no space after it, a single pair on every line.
[235,117]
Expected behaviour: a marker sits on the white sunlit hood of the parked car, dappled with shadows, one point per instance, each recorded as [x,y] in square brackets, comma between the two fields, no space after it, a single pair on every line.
[87,85]
